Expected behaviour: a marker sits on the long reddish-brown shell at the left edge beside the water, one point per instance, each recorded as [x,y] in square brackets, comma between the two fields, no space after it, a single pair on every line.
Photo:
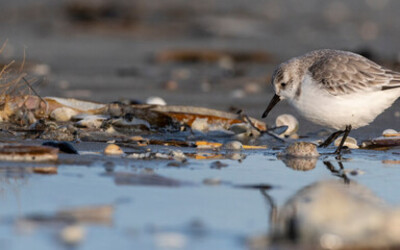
[31,153]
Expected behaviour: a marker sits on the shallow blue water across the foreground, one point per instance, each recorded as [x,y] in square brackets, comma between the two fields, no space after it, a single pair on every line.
[191,215]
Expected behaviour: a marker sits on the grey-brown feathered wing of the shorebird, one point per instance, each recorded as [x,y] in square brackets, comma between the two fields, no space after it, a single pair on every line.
[346,73]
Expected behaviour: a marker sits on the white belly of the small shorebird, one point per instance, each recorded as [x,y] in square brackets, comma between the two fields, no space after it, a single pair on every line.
[357,109]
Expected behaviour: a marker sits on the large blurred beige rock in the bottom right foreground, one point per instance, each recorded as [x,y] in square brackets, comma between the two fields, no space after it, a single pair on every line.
[333,215]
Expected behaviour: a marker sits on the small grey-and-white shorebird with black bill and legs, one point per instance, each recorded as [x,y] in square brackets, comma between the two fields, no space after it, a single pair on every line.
[337,89]
